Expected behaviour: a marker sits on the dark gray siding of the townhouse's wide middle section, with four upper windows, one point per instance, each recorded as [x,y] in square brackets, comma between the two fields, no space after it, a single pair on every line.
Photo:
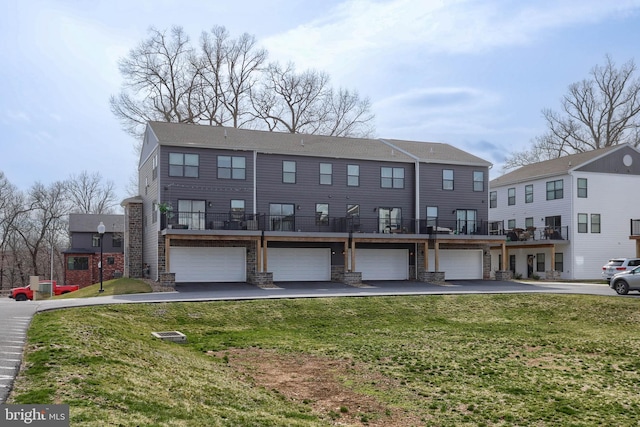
[307,191]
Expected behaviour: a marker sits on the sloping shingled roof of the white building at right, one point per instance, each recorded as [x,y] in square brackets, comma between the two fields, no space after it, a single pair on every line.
[554,167]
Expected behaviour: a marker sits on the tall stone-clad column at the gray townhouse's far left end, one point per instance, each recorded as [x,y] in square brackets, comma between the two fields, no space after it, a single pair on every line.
[133,237]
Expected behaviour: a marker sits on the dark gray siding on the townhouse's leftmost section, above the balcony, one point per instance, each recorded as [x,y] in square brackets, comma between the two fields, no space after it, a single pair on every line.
[207,186]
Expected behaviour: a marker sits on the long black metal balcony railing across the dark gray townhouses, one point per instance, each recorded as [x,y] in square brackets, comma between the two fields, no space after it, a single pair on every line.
[320,223]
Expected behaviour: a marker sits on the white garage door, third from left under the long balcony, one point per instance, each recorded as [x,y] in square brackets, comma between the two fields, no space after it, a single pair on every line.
[383,264]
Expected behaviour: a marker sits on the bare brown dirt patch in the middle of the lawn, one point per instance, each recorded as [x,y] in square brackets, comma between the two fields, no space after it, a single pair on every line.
[321,384]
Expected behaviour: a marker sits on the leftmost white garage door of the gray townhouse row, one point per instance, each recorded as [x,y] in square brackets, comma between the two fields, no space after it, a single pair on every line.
[208,264]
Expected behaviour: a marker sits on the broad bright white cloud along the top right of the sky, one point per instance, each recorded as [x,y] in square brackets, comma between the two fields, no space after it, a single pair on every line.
[360,28]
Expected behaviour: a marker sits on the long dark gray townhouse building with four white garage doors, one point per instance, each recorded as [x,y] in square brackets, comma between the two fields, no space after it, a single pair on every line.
[220,204]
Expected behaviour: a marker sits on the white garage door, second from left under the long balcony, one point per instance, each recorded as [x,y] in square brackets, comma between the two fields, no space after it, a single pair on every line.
[299,264]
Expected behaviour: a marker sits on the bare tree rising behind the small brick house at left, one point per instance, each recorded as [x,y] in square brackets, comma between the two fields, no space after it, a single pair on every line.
[89,194]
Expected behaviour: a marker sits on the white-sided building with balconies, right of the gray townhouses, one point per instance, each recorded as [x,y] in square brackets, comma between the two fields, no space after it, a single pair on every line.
[564,218]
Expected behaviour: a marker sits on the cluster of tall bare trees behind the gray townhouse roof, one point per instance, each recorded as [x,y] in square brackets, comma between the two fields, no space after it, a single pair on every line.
[224,84]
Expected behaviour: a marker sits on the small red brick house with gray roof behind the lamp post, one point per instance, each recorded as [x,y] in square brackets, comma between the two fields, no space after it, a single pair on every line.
[82,259]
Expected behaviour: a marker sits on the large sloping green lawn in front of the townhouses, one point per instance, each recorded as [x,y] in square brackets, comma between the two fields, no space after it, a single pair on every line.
[474,360]
